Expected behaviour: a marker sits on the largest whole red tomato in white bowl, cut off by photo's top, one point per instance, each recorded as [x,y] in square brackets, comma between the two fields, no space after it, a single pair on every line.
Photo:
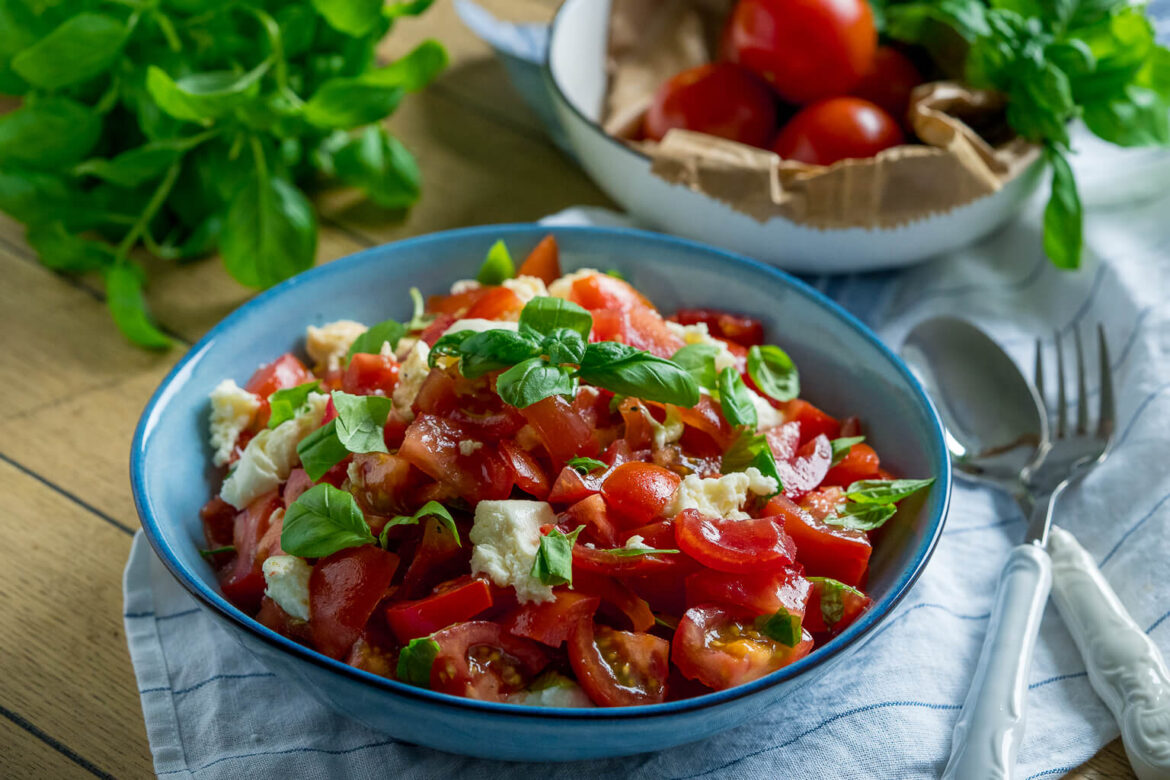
[807,50]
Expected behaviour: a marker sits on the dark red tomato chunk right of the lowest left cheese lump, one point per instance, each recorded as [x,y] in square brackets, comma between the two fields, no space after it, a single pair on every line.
[345,589]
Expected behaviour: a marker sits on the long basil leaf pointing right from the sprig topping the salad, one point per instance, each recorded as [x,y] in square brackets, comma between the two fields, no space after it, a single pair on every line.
[624,370]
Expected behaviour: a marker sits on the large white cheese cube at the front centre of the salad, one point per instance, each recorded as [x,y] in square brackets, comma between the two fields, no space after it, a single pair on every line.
[507,536]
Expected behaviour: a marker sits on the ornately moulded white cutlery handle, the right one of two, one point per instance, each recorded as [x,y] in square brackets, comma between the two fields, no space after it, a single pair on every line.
[1126,668]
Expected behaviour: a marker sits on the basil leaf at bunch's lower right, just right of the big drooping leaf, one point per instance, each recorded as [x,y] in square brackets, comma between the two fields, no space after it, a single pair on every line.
[380,164]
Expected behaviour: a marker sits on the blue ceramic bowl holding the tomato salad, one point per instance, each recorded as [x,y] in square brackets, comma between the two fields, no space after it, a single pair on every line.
[844,369]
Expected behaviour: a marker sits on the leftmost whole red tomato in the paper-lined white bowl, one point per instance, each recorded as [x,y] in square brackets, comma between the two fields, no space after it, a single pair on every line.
[719,100]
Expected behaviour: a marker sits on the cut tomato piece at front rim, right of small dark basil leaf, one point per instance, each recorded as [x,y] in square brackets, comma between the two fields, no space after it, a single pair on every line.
[481,661]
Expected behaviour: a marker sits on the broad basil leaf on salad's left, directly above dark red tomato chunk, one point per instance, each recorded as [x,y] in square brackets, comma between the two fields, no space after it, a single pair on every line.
[324,521]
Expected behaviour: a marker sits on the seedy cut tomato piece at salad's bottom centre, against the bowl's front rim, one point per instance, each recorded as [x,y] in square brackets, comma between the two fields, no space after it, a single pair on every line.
[620,668]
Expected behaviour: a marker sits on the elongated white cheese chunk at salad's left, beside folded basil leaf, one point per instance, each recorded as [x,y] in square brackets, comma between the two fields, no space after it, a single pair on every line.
[271,455]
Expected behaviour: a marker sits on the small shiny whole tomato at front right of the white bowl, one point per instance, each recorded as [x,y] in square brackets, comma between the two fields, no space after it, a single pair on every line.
[838,129]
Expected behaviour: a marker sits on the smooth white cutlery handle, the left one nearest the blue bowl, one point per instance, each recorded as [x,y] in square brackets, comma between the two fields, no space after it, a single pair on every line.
[992,724]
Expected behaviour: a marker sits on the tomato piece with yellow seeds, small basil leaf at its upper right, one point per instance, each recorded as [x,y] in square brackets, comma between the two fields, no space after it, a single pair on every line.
[721,647]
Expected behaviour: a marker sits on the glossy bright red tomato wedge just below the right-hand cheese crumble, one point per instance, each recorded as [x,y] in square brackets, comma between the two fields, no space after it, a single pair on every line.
[727,546]
